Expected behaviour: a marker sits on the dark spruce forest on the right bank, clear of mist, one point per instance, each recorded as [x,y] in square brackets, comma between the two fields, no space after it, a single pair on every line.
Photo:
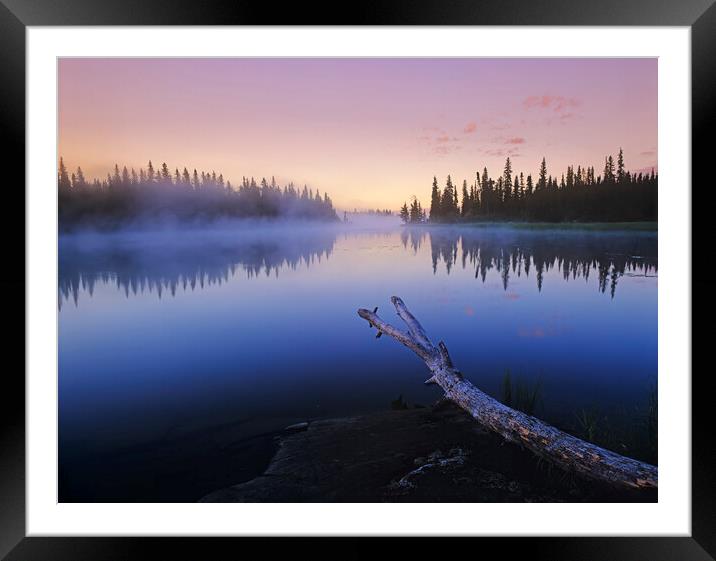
[580,195]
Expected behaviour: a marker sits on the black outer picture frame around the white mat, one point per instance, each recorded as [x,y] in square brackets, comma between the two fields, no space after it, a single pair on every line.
[16,15]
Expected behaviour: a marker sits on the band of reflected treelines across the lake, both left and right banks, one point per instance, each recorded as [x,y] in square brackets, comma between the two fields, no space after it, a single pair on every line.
[164,265]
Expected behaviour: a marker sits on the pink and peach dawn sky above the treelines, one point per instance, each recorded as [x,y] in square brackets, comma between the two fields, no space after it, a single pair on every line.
[371,132]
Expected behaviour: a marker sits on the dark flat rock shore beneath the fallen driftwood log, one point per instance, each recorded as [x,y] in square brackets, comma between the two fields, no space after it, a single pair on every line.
[427,454]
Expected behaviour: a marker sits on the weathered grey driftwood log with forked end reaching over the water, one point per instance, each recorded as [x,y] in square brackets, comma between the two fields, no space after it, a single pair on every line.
[566,451]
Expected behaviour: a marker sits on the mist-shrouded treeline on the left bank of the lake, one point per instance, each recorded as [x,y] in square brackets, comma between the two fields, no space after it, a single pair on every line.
[127,196]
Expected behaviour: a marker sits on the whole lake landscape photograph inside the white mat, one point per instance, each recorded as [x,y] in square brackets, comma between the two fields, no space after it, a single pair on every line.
[357,279]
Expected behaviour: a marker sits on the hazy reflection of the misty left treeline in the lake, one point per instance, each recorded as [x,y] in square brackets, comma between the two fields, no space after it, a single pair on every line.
[163,265]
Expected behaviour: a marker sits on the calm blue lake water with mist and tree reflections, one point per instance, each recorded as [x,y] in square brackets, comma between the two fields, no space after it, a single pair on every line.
[180,352]
